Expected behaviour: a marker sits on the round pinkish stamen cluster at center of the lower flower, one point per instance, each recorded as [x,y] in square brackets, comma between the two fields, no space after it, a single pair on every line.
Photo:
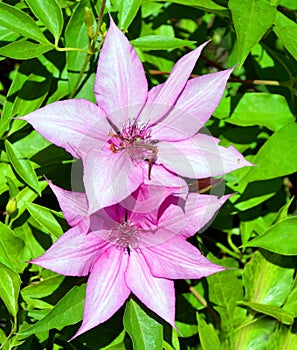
[125,236]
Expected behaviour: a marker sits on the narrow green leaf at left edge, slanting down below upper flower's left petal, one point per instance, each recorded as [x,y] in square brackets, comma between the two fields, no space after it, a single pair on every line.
[23,167]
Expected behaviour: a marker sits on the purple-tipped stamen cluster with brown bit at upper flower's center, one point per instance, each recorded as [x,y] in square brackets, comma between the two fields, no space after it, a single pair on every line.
[136,140]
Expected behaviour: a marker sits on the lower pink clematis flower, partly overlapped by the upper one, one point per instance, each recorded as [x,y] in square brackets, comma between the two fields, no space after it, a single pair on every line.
[125,251]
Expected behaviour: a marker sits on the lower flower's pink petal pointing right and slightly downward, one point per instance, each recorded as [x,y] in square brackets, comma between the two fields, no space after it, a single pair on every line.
[178,259]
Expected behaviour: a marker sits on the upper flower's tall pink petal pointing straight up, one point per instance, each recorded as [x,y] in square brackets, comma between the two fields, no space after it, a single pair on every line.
[120,83]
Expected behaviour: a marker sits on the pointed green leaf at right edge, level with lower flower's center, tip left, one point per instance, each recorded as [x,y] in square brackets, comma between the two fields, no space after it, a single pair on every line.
[280,238]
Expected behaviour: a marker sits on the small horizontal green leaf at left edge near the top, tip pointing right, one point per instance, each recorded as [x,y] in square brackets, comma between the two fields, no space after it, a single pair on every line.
[24,50]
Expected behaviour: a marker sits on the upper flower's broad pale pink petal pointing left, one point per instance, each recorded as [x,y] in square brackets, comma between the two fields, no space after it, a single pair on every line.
[76,125]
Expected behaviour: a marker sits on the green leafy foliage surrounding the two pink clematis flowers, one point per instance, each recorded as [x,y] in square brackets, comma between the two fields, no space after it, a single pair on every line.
[46,55]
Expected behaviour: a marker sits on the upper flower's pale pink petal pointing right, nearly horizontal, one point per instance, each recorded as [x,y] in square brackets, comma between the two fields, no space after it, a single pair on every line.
[199,157]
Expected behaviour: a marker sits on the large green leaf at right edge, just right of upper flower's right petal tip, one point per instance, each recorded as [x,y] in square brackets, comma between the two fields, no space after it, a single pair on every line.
[270,161]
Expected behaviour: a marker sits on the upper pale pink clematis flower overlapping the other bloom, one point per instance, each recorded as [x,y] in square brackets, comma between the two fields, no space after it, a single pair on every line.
[133,132]
